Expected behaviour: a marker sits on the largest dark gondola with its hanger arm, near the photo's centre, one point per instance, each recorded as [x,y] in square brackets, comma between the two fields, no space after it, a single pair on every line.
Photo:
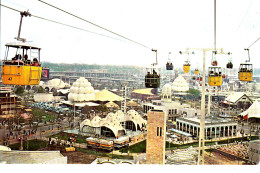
[152,77]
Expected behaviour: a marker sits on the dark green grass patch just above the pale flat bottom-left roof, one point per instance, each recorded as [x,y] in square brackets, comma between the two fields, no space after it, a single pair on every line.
[33,145]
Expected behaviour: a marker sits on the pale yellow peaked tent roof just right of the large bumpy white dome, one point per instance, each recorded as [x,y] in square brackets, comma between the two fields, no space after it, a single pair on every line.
[105,95]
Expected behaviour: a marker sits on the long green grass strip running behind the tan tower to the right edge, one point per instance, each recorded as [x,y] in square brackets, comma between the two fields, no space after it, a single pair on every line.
[141,147]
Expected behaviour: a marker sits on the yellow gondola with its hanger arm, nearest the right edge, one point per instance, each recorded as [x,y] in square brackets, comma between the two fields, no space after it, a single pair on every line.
[246,70]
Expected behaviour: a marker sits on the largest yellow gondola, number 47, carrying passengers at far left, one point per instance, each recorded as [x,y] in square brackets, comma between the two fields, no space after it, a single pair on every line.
[21,69]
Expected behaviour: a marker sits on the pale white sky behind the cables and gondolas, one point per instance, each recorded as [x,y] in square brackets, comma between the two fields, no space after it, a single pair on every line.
[165,25]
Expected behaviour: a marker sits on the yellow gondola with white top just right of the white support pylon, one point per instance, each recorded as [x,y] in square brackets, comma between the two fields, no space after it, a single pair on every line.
[215,76]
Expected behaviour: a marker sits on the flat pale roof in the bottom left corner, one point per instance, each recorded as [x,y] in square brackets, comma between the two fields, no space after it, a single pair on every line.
[30,157]
